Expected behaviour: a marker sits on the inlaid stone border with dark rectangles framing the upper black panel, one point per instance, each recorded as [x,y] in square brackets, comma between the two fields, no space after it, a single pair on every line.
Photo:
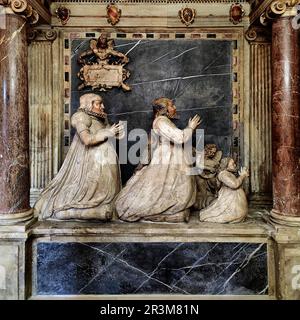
[216,34]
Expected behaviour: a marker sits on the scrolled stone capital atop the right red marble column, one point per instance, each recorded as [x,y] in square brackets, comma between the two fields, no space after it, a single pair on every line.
[279,8]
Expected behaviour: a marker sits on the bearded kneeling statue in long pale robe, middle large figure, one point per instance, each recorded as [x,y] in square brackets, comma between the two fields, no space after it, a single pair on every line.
[163,190]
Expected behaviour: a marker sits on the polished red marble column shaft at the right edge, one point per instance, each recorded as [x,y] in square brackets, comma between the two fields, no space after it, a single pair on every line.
[285,122]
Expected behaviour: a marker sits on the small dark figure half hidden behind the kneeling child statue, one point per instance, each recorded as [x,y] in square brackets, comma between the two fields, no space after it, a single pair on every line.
[207,182]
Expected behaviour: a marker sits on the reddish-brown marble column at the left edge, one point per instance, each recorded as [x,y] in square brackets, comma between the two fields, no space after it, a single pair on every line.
[14,122]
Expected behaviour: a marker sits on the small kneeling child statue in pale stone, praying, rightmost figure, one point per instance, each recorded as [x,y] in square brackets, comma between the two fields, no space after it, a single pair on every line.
[231,205]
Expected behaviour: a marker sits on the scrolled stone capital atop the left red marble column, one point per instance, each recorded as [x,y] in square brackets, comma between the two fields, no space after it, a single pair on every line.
[22,8]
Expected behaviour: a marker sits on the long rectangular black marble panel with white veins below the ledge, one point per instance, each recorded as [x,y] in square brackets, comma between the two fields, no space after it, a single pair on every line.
[151,268]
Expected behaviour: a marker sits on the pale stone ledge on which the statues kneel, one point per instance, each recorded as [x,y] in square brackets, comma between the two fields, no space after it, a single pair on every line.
[253,228]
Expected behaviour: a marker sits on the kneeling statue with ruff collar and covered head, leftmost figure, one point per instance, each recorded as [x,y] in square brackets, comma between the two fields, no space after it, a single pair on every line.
[89,179]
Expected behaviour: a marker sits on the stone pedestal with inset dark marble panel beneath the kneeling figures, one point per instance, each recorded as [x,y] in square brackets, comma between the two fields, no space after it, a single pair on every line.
[187,260]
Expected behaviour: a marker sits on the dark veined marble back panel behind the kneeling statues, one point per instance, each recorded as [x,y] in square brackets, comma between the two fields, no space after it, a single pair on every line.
[197,74]
